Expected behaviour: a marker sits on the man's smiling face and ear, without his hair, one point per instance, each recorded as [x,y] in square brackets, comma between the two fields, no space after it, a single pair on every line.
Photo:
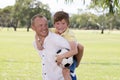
[41,27]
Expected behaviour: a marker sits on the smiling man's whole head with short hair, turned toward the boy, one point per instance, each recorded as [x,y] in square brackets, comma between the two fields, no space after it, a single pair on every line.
[40,25]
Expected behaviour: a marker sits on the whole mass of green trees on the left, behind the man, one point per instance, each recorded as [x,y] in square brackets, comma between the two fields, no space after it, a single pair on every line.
[20,14]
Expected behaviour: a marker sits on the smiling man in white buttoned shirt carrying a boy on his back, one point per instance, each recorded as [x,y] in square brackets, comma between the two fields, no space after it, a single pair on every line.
[49,43]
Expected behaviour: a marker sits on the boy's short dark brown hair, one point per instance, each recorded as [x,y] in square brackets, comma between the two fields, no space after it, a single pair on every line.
[60,15]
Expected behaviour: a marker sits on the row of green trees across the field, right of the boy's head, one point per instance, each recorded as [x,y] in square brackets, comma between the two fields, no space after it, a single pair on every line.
[92,21]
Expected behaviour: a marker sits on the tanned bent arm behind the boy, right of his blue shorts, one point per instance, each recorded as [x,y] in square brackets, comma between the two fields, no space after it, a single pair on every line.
[80,53]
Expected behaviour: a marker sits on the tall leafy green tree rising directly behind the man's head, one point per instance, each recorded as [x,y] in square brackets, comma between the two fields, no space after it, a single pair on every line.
[25,9]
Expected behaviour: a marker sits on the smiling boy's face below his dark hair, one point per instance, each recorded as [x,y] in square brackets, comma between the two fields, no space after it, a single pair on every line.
[61,26]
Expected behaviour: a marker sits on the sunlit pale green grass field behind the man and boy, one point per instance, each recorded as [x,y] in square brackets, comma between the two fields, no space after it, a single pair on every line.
[20,61]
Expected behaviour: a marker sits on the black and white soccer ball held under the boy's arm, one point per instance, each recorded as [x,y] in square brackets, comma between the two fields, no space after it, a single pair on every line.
[66,62]
